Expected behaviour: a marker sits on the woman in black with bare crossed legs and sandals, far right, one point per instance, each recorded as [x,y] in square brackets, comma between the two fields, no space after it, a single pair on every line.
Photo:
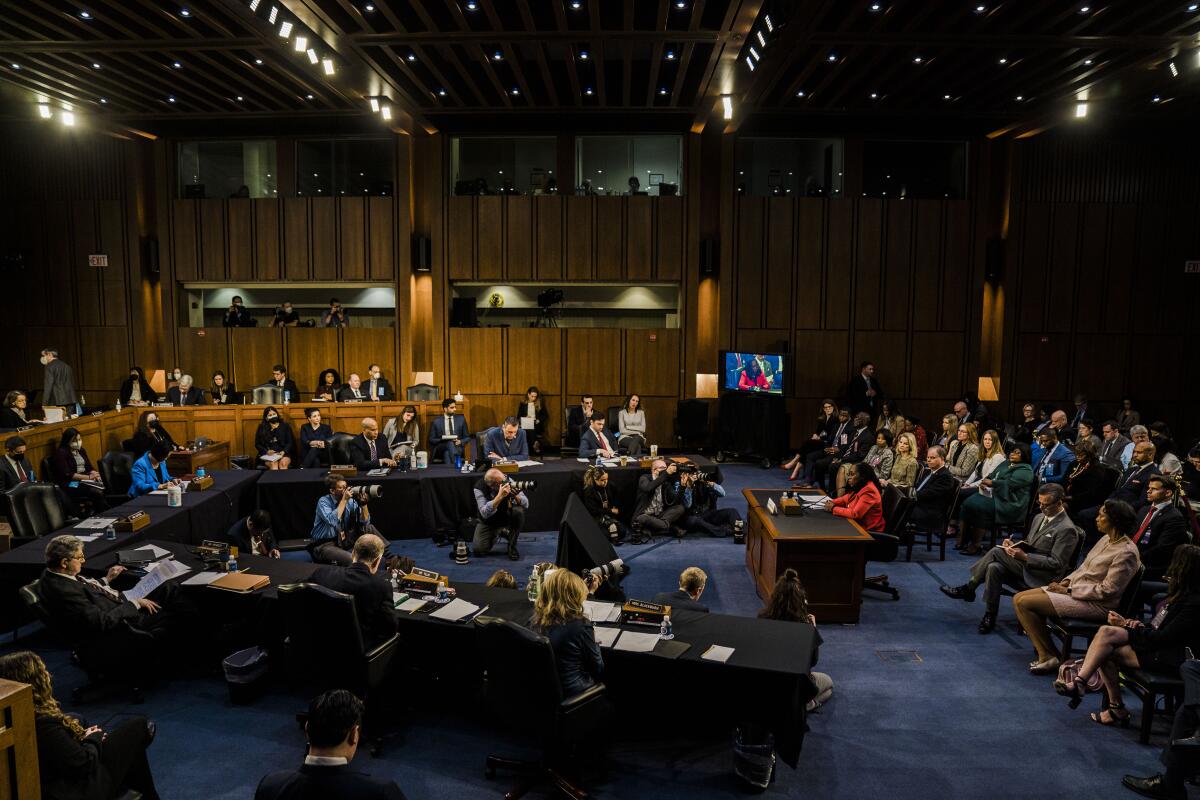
[1159,647]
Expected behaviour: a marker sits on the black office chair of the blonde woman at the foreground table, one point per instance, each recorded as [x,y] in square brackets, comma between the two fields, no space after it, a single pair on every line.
[524,691]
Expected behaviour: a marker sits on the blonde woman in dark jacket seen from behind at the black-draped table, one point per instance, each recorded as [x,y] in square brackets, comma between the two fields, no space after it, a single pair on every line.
[559,616]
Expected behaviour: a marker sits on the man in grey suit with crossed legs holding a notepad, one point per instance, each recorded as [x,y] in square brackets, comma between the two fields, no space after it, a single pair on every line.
[1043,556]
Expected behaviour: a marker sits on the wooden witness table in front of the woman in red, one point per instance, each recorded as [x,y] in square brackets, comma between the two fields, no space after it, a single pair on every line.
[827,552]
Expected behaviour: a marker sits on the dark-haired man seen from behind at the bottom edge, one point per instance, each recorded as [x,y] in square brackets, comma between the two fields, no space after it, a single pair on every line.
[334,729]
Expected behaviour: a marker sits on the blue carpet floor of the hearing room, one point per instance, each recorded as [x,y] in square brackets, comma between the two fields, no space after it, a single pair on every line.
[923,706]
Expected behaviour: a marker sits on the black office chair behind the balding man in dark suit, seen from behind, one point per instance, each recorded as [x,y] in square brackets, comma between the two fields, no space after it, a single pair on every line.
[325,647]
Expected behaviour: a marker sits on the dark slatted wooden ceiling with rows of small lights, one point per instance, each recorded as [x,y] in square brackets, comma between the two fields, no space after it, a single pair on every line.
[447,64]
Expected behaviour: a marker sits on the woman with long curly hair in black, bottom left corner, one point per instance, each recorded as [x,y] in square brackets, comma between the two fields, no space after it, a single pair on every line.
[75,761]
